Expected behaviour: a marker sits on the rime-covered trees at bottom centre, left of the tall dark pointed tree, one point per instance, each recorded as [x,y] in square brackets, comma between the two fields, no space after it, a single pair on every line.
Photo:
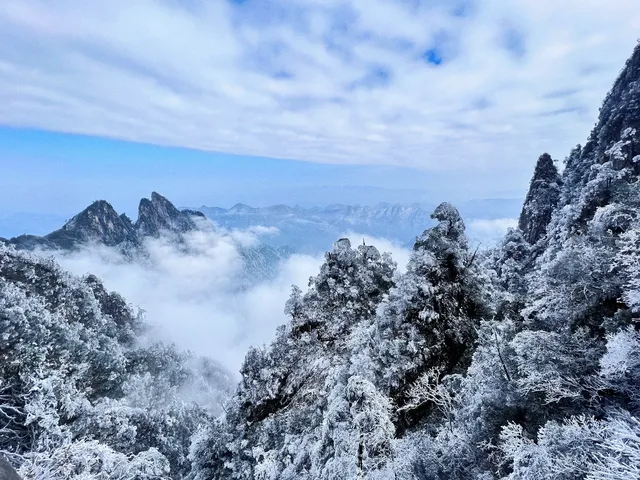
[299,411]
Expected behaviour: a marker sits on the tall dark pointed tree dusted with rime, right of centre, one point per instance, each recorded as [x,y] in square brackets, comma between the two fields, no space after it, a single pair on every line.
[429,320]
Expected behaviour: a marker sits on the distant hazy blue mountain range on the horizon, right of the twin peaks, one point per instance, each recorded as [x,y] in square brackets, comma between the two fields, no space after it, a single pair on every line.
[312,230]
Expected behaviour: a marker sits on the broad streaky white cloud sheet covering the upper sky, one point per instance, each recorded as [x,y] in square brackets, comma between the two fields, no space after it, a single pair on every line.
[517,78]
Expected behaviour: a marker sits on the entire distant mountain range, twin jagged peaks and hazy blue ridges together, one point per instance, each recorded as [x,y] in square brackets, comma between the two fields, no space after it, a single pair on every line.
[301,229]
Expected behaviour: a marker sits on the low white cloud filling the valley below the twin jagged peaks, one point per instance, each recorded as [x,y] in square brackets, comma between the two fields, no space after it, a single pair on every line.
[192,294]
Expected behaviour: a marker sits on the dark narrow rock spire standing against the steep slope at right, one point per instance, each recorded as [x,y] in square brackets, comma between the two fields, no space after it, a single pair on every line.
[541,200]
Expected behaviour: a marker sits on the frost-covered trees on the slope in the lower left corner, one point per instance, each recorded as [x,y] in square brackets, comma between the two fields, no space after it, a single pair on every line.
[84,392]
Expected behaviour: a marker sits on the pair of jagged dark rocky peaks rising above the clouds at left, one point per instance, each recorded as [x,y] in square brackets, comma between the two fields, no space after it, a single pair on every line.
[100,223]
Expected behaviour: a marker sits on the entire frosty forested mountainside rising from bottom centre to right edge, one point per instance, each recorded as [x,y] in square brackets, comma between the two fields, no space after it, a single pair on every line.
[517,362]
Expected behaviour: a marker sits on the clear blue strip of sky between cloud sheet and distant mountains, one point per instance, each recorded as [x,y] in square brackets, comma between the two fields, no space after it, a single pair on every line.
[58,173]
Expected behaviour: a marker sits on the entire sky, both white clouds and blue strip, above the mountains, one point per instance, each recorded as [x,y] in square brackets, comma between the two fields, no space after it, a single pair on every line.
[308,101]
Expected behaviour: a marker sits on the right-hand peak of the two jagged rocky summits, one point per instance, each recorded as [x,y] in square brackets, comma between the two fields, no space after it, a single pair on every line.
[160,214]
